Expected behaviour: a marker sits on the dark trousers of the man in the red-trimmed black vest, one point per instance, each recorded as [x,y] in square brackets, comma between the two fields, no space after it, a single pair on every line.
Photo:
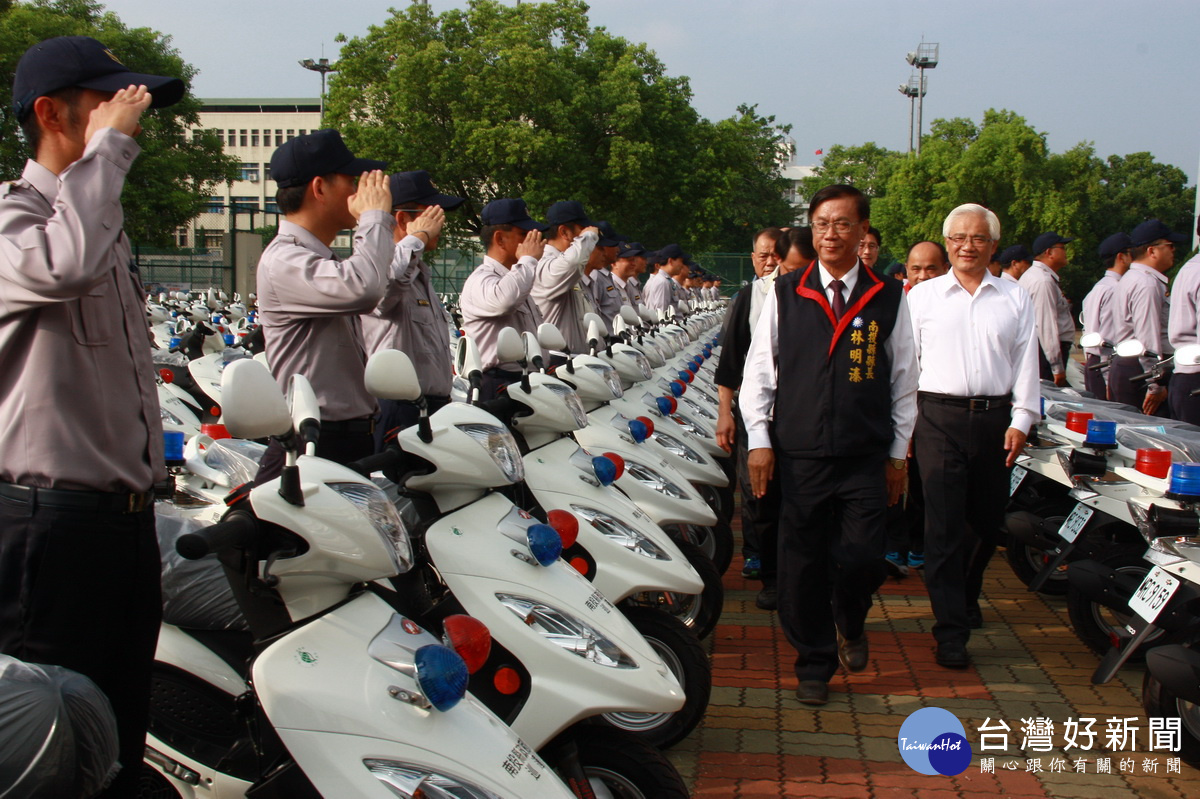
[831,554]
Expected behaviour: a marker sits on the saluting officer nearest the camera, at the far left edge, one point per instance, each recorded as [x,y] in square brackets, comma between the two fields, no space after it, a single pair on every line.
[82,441]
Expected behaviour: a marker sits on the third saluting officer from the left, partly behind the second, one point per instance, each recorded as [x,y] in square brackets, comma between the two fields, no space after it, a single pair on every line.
[411,317]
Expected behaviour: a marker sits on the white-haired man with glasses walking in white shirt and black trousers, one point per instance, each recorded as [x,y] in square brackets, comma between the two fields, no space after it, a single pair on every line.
[979,397]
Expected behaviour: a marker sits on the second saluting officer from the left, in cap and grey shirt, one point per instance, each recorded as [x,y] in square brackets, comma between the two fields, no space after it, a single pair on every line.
[310,301]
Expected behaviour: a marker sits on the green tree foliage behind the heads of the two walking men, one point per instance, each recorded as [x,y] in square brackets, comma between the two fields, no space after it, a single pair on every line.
[1005,165]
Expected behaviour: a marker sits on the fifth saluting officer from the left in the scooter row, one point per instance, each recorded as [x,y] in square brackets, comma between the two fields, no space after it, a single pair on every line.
[571,239]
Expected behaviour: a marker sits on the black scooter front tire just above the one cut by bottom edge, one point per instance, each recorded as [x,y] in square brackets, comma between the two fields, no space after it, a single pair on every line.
[682,653]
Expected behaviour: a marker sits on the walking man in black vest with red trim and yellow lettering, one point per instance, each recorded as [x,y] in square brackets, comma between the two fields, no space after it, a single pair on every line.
[837,343]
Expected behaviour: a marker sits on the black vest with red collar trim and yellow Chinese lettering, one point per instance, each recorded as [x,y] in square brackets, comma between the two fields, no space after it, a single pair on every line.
[835,395]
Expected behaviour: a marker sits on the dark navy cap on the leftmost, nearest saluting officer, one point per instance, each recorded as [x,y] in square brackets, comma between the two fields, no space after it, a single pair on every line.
[82,62]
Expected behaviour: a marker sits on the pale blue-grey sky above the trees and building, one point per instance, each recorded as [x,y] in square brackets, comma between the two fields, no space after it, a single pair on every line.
[1121,75]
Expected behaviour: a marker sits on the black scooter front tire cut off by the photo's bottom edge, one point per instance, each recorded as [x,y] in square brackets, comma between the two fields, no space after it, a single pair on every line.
[626,767]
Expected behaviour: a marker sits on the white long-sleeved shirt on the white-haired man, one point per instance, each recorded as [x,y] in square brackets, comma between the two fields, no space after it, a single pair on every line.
[977,346]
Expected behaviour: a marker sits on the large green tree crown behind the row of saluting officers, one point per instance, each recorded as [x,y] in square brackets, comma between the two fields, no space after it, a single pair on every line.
[531,101]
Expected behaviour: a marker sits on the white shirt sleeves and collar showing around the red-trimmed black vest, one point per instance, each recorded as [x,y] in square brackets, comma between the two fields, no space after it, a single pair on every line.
[760,379]
